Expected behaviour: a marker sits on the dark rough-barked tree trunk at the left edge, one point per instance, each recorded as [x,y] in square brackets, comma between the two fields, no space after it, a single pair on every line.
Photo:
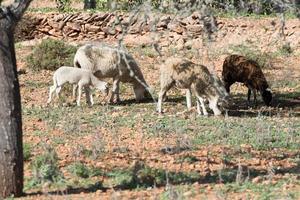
[11,153]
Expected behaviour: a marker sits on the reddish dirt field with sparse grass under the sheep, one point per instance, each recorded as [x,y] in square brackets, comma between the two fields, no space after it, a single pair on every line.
[128,133]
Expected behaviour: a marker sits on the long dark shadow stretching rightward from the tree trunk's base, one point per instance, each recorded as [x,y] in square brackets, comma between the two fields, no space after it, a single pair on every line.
[231,174]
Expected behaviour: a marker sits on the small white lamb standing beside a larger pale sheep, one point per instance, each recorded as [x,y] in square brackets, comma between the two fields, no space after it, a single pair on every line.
[80,78]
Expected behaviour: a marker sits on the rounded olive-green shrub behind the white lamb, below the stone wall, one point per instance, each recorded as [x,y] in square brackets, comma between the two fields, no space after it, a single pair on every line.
[50,55]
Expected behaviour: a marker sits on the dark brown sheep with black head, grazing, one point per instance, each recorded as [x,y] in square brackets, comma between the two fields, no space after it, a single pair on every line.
[238,68]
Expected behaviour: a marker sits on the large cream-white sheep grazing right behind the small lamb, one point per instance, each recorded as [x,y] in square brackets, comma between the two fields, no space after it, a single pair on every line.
[108,62]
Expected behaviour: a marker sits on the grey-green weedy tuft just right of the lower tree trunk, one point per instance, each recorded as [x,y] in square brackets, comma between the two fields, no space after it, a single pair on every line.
[45,169]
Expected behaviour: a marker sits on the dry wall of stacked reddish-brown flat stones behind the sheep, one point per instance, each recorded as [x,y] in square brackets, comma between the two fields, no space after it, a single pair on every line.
[79,26]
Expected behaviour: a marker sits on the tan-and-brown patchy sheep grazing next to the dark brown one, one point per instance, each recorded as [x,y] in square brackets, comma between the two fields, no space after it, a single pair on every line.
[187,75]
